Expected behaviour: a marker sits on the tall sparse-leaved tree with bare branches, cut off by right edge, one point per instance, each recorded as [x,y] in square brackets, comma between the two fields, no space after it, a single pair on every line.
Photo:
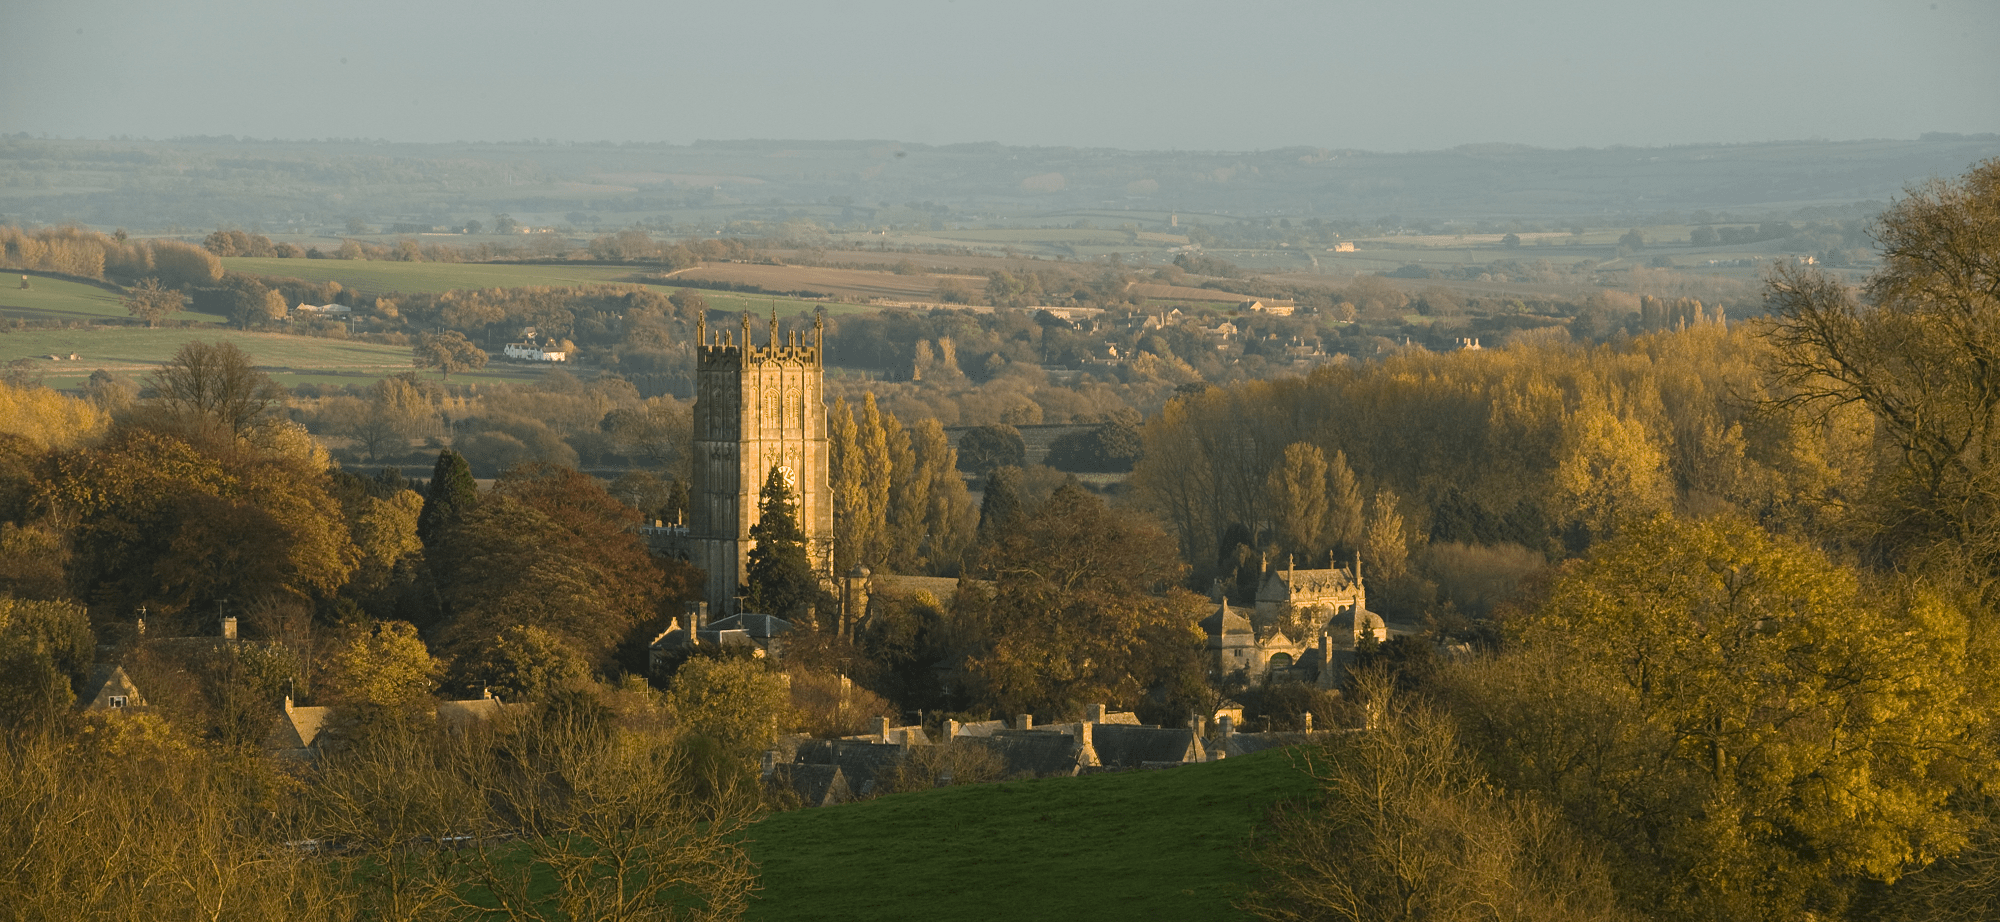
[1919,347]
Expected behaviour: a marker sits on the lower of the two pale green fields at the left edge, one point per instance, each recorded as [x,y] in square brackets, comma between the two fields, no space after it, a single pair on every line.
[291,361]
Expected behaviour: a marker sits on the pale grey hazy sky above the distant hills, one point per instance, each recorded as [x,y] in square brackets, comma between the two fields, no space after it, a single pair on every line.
[1381,75]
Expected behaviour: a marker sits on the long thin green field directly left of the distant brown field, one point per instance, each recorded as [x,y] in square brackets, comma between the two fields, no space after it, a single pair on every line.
[383,277]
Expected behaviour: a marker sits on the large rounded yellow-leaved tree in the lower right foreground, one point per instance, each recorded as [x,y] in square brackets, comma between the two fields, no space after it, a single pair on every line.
[1755,731]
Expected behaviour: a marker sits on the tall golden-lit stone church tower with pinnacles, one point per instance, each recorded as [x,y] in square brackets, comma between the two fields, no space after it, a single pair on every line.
[757,409]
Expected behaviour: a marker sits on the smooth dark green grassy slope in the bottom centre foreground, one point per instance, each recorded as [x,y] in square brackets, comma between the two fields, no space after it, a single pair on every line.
[1109,847]
